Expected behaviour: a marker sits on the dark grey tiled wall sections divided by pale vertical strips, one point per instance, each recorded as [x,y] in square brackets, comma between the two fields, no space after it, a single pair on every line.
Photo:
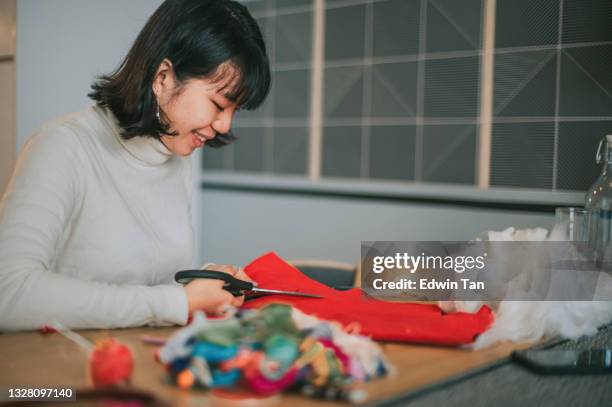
[401,97]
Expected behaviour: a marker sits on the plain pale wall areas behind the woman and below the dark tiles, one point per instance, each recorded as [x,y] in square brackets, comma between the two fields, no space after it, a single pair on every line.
[63,44]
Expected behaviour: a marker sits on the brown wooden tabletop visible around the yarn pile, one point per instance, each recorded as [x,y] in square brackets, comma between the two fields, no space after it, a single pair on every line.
[34,359]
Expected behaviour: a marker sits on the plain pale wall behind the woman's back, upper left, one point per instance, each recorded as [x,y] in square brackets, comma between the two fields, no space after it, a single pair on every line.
[62,45]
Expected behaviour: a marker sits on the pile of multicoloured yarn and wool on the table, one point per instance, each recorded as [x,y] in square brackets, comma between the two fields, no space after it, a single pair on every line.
[270,350]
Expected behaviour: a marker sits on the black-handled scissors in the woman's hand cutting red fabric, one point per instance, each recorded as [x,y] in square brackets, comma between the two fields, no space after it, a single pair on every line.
[232,284]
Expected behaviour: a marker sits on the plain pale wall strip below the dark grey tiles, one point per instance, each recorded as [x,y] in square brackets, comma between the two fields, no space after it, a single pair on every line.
[239,226]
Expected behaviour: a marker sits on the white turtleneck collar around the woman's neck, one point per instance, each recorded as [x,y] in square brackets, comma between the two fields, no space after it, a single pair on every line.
[146,150]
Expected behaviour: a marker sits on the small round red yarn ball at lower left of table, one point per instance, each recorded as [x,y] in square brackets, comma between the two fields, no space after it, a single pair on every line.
[110,363]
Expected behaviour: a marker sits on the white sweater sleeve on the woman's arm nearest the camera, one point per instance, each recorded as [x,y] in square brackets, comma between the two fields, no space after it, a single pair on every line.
[36,214]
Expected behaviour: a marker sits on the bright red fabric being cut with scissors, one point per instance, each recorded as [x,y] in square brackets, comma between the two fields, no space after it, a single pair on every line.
[386,321]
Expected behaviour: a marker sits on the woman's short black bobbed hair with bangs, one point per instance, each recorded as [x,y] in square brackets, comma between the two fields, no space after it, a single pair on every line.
[197,36]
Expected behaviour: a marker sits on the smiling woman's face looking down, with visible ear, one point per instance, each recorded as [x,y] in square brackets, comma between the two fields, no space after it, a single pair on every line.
[196,110]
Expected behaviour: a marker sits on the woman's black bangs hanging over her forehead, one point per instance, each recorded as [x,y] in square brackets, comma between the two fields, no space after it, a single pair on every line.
[246,84]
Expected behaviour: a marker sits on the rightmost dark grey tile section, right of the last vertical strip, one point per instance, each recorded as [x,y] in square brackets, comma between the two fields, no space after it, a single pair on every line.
[553,92]
